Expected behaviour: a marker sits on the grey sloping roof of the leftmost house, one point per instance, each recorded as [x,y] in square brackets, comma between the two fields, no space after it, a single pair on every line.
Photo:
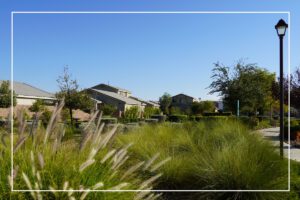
[25,89]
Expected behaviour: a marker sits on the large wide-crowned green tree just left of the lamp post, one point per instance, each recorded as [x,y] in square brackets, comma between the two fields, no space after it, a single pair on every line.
[248,83]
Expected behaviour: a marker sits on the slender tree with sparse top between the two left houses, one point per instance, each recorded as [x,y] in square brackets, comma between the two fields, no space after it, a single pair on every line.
[74,99]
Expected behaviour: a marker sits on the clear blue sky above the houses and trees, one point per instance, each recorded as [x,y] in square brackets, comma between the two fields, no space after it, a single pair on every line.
[148,54]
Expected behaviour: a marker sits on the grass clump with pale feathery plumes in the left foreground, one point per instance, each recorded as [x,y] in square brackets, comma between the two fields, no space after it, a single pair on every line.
[44,160]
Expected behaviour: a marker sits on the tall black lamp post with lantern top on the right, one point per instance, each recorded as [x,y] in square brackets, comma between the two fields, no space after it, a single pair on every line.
[281,27]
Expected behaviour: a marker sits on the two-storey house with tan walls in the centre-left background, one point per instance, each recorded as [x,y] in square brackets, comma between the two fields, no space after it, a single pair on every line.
[115,96]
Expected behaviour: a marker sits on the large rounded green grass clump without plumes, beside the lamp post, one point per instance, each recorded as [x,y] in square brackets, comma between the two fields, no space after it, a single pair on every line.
[211,155]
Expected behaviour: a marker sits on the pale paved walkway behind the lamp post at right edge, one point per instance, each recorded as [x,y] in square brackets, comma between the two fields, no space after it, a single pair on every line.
[273,135]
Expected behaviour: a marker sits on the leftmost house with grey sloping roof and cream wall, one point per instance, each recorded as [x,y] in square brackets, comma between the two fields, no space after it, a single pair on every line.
[27,94]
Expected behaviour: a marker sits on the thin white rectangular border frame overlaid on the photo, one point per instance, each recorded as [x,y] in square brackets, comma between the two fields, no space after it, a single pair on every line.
[150,12]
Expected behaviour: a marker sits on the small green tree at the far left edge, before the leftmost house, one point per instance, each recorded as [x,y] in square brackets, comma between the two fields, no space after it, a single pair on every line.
[5,95]
